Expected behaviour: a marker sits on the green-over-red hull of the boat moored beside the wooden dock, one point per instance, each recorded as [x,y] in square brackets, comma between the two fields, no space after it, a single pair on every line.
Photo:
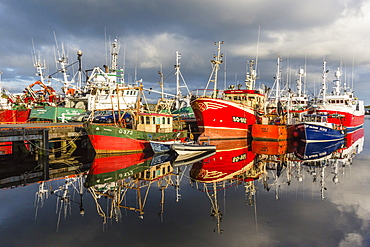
[107,138]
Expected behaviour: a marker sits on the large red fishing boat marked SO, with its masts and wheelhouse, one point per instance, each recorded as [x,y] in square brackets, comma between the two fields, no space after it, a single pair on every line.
[227,114]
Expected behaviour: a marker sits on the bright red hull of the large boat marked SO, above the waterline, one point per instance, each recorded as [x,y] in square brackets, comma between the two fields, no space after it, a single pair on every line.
[222,119]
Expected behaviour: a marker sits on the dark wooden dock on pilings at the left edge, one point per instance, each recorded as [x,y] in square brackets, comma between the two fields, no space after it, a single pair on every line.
[45,142]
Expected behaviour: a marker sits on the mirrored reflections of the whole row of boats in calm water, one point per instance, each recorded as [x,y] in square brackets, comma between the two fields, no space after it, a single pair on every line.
[121,185]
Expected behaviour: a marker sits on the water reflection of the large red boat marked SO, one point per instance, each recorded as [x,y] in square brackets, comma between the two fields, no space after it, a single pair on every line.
[232,165]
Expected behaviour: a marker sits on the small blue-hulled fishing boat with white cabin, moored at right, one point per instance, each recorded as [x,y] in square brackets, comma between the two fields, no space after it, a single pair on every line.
[316,128]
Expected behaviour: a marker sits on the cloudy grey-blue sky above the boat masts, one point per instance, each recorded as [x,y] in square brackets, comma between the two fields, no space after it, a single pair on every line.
[303,34]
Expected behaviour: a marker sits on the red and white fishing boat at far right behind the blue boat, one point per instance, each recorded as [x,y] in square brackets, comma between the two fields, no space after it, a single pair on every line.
[341,102]
